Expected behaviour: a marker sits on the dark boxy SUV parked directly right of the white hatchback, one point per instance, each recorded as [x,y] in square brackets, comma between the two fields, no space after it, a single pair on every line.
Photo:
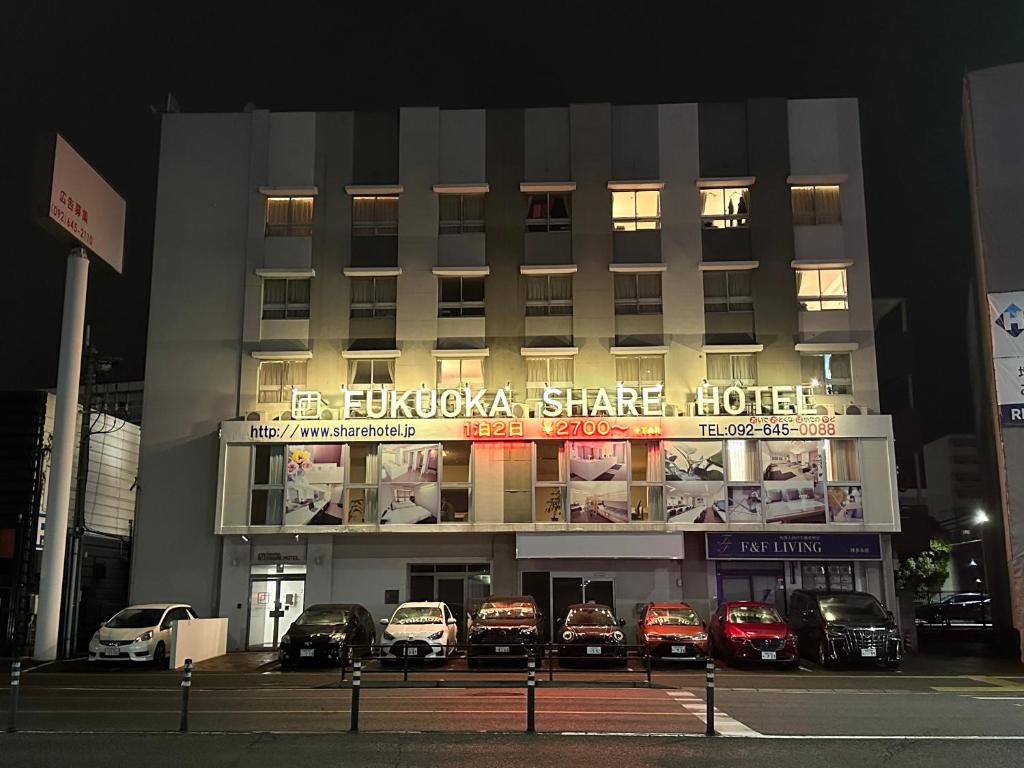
[503,628]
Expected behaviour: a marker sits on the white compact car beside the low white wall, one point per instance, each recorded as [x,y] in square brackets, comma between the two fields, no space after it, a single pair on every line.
[139,633]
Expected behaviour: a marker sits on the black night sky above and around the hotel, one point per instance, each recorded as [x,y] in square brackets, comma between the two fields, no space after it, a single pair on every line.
[94,75]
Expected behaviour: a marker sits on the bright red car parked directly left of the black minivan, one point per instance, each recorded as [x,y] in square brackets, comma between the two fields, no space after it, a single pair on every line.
[749,632]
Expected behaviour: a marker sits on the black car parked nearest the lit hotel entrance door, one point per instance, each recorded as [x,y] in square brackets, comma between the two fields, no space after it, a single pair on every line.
[329,634]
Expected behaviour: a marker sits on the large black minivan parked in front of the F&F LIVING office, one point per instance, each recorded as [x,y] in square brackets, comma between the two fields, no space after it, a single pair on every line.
[834,627]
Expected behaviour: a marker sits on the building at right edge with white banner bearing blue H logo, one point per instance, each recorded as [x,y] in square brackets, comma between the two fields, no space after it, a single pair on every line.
[994,126]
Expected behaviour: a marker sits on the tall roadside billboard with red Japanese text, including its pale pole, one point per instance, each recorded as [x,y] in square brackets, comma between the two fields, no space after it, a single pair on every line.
[78,206]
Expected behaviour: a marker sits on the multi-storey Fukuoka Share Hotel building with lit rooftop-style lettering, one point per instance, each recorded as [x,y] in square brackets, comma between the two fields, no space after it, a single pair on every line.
[429,354]
